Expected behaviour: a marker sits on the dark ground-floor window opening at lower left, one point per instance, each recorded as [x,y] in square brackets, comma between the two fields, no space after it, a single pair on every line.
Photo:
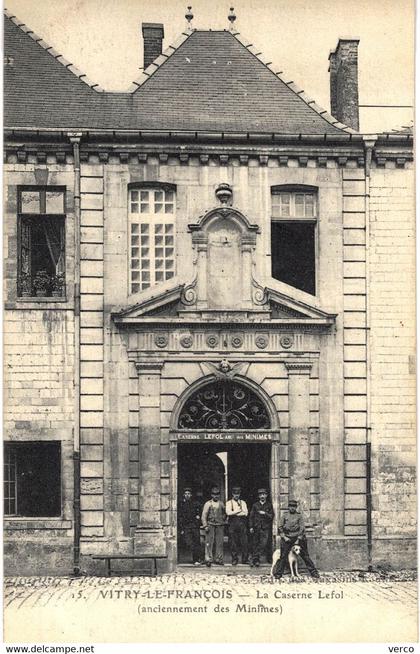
[32,479]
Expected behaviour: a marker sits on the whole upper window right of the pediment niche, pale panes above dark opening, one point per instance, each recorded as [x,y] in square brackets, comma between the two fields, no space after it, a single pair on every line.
[294,212]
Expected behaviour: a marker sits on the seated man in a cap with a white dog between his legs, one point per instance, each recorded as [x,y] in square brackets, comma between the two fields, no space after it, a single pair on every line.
[292,532]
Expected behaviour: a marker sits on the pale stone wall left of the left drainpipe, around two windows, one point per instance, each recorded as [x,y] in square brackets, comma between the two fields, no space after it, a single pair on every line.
[38,380]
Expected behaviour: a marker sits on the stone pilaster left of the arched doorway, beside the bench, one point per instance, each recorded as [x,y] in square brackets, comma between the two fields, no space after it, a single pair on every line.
[149,536]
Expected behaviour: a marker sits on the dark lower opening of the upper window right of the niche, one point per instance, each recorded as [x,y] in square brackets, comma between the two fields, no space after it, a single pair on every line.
[293,254]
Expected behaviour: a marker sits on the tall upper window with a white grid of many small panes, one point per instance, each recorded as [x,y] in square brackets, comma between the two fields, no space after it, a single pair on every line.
[151,211]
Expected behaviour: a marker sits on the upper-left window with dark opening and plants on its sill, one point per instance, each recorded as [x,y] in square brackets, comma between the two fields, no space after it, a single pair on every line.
[41,242]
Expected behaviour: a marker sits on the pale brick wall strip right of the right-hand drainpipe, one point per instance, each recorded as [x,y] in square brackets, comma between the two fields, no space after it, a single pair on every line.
[392,302]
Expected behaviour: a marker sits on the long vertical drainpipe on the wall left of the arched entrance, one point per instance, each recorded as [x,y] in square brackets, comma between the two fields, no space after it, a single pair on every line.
[75,141]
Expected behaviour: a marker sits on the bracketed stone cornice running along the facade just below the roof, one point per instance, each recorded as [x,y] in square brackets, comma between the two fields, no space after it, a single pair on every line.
[126,144]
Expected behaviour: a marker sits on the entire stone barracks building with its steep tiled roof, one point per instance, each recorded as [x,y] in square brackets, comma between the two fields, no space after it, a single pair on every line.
[207,279]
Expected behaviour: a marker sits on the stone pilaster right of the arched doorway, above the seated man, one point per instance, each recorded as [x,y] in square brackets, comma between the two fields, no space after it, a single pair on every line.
[299,438]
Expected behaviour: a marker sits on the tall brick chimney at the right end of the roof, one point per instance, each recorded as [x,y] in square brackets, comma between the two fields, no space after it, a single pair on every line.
[344,88]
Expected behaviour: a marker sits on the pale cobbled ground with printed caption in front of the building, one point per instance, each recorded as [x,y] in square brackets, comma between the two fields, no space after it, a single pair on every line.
[185,606]
